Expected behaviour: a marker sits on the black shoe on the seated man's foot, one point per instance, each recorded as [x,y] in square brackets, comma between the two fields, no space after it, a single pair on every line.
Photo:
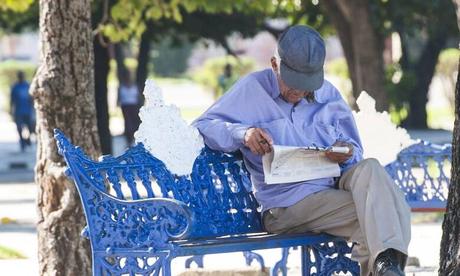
[388,263]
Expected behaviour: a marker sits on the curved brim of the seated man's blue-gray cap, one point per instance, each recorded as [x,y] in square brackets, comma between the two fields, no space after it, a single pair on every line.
[302,81]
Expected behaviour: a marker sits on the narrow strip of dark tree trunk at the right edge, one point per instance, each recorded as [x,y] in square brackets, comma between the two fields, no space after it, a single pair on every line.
[449,261]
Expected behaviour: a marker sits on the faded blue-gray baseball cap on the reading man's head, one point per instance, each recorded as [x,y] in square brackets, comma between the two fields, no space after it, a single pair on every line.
[302,52]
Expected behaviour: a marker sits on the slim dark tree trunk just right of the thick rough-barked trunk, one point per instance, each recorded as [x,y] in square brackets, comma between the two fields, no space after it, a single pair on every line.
[101,72]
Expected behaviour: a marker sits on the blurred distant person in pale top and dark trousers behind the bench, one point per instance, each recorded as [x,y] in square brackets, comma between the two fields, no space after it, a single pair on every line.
[130,102]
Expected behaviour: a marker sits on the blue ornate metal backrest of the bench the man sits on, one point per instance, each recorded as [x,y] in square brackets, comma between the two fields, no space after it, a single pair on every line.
[218,191]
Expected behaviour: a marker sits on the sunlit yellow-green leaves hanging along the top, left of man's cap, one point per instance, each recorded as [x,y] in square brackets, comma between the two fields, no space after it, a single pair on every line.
[129,18]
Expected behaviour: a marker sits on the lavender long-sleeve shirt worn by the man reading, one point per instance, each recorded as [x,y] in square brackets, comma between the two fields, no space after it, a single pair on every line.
[255,101]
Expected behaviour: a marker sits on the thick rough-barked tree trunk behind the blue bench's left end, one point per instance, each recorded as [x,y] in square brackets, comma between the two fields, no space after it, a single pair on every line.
[63,89]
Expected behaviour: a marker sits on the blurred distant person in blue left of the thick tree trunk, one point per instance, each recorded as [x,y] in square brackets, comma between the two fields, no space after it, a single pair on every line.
[22,109]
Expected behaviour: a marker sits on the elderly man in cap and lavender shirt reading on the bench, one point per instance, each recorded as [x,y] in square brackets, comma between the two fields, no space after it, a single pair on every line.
[291,104]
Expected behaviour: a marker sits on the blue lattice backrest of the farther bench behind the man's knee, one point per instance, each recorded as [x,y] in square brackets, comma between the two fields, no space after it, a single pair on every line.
[422,171]
